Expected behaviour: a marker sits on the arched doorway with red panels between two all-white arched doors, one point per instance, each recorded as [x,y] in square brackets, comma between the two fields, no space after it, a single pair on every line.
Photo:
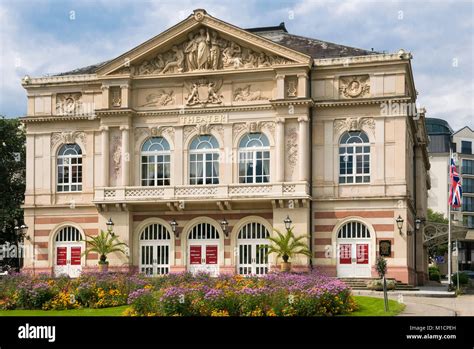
[203,249]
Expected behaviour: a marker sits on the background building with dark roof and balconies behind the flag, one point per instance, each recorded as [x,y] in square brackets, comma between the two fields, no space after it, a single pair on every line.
[442,138]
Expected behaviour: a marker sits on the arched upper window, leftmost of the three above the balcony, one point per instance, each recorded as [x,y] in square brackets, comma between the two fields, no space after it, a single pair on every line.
[155,162]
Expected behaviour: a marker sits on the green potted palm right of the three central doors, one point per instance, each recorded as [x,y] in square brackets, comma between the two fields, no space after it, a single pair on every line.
[286,246]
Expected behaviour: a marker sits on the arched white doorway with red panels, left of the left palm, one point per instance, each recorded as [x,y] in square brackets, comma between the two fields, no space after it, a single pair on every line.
[68,248]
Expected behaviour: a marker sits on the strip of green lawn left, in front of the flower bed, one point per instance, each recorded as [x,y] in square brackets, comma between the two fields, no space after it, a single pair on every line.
[115,311]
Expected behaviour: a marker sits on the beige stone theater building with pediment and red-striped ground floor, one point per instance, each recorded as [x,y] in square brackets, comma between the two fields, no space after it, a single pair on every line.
[209,123]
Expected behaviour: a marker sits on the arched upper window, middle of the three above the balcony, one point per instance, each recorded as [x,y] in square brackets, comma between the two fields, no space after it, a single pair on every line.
[204,161]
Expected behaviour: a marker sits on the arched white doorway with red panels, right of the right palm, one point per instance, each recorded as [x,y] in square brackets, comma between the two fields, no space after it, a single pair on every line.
[354,245]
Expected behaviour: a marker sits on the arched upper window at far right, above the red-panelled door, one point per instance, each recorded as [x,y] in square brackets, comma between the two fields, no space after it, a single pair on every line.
[354,158]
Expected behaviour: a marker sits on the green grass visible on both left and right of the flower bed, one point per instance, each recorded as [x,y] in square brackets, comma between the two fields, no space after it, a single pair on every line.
[368,306]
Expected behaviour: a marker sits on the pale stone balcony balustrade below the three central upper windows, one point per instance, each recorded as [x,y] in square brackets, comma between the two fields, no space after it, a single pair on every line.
[220,191]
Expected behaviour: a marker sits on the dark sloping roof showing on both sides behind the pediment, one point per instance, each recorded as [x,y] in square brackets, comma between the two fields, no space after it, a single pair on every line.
[278,34]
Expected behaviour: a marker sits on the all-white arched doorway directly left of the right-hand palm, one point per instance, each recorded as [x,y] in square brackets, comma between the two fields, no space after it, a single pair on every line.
[252,245]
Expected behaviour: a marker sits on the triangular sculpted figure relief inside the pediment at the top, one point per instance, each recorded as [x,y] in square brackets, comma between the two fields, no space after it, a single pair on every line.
[206,50]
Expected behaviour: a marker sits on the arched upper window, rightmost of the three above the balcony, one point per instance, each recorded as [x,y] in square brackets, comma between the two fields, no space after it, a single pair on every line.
[254,159]
